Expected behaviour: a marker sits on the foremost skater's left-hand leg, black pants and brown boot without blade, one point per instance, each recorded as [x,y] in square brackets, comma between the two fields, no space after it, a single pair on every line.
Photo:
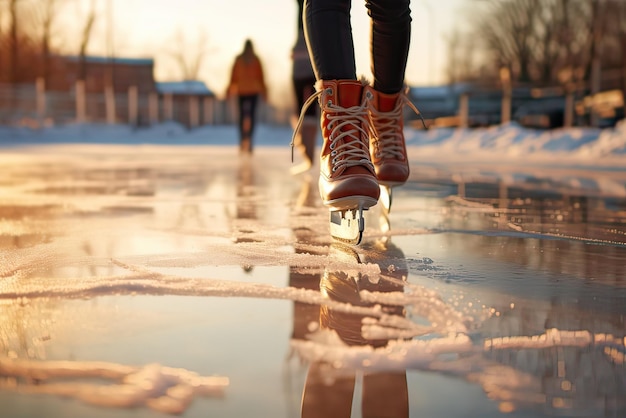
[347,176]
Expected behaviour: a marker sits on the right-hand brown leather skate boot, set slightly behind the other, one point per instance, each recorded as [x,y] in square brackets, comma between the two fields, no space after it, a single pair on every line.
[387,147]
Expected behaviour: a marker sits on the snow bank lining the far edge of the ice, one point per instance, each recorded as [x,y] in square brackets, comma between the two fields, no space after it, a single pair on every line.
[574,146]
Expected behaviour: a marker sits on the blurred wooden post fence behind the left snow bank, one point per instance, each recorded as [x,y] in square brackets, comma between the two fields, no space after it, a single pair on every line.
[32,105]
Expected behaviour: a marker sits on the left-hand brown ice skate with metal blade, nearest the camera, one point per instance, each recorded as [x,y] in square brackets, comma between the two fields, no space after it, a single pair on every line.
[347,182]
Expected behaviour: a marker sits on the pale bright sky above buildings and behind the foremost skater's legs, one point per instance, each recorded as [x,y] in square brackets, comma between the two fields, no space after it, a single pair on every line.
[151,28]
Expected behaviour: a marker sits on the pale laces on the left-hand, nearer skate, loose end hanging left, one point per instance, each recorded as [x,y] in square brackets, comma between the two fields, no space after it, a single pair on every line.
[346,145]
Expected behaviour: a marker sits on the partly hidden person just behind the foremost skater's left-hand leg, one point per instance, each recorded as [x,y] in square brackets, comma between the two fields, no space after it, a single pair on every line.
[303,80]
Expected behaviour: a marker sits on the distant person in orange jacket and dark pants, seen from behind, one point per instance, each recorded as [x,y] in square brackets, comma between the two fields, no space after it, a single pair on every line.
[247,83]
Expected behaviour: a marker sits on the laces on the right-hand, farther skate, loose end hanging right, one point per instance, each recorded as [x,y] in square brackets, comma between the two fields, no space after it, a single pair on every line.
[389,140]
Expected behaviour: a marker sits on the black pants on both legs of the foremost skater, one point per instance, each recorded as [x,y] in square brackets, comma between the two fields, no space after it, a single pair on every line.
[329,35]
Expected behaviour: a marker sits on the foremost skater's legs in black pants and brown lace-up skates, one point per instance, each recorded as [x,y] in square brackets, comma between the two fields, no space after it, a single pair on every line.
[362,124]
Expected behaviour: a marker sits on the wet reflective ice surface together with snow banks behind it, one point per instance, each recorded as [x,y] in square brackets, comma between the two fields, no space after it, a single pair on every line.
[155,272]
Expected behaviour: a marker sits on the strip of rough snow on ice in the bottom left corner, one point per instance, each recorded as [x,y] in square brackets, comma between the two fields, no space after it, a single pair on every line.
[163,389]
